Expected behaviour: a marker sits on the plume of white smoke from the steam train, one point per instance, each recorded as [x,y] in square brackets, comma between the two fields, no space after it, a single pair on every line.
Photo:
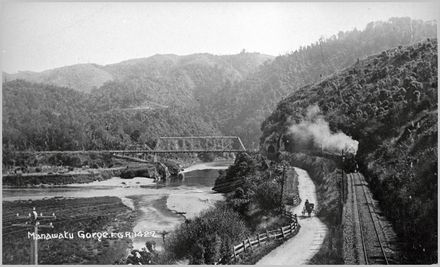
[314,130]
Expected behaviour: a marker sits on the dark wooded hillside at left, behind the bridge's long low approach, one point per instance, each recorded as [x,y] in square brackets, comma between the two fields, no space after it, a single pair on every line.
[44,117]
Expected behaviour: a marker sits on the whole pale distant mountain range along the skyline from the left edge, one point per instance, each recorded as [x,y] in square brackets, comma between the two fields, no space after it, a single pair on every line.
[166,79]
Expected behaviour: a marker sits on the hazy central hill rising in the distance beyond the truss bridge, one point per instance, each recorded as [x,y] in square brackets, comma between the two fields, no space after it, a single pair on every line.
[178,80]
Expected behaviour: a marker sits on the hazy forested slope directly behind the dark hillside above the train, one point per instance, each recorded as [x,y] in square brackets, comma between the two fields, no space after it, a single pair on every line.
[241,107]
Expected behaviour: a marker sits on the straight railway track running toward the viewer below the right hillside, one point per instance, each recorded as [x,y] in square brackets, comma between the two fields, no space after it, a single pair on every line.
[373,239]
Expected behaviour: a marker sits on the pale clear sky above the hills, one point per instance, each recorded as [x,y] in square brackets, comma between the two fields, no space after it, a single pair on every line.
[39,36]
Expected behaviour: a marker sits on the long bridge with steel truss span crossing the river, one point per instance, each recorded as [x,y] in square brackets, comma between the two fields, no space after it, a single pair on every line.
[187,144]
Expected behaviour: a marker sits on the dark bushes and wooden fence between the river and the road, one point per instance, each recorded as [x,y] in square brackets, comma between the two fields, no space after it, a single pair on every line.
[249,221]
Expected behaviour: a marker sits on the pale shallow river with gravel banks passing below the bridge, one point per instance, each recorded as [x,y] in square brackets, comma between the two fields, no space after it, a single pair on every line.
[157,203]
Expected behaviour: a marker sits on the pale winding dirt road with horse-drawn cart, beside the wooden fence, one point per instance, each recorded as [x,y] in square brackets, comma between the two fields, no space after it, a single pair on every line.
[300,248]
